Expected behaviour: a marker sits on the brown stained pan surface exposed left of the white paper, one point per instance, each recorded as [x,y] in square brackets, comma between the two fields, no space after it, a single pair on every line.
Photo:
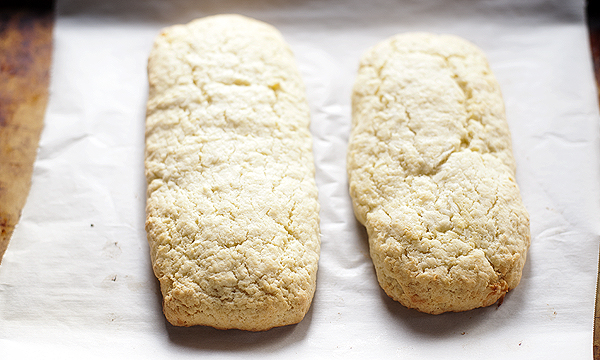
[25,57]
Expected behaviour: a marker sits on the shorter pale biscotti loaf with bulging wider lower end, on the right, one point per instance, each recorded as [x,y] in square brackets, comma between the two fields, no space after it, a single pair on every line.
[432,175]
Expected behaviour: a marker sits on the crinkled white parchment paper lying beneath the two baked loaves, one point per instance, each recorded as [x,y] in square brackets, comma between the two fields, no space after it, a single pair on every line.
[76,279]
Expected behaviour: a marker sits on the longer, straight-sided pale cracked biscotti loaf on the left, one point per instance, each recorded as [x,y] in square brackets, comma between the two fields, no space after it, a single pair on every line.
[232,211]
